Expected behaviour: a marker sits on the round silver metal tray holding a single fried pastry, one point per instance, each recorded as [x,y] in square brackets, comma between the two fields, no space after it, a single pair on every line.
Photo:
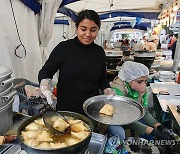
[126,110]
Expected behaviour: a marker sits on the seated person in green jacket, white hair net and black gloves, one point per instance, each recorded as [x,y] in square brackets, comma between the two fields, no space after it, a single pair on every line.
[131,82]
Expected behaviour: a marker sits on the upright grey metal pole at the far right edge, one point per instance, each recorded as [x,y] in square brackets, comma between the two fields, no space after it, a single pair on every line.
[177,54]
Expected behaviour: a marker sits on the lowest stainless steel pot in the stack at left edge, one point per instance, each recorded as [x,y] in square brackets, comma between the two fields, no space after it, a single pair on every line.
[6,117]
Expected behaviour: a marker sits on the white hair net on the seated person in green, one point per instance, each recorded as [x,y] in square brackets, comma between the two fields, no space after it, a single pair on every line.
[132,70]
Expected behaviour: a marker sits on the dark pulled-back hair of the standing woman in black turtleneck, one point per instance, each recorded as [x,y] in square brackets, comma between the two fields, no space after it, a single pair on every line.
[88,14]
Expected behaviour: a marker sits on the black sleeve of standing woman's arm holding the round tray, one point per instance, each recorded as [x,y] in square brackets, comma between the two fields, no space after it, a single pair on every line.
[103,82]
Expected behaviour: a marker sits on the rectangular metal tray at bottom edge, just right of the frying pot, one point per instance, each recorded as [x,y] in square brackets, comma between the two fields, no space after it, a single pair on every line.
[97,143]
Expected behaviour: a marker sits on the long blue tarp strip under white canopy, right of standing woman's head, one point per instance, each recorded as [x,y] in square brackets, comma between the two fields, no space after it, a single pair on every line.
[147,15]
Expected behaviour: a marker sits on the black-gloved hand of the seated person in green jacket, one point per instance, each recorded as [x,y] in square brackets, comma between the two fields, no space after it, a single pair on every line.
[161,135]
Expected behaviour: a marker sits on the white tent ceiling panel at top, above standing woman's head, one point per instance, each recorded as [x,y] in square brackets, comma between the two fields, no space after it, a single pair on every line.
[102,6]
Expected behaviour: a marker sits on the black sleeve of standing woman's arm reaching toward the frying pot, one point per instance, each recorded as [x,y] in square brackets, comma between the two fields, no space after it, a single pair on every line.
[54,62]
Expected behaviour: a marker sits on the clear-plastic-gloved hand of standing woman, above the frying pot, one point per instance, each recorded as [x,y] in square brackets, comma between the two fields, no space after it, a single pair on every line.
[46,88]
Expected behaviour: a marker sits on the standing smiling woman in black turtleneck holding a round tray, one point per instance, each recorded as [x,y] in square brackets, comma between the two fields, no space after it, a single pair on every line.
[81,65]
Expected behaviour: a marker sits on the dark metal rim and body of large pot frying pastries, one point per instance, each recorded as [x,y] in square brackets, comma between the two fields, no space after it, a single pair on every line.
[78,148]
